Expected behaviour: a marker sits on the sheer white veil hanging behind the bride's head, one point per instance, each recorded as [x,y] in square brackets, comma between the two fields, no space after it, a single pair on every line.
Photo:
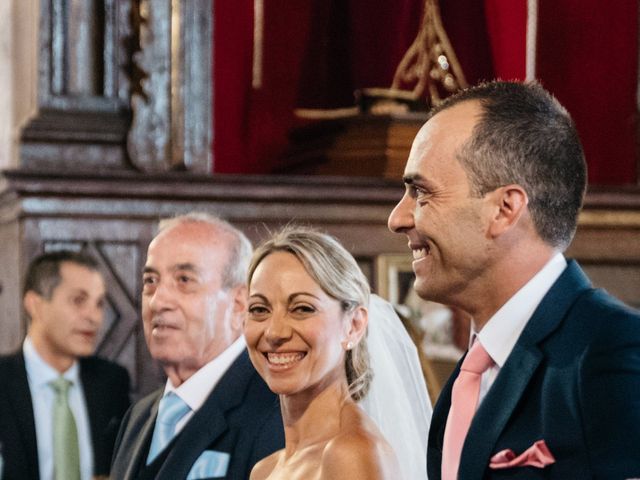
[397,401]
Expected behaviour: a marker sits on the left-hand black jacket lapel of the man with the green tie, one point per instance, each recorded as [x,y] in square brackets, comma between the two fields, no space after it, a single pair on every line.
[20,396]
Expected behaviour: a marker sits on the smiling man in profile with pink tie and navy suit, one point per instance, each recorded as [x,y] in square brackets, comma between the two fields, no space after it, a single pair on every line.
[549,388]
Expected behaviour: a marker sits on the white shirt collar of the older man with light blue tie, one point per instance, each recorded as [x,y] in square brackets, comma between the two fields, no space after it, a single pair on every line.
[195,390]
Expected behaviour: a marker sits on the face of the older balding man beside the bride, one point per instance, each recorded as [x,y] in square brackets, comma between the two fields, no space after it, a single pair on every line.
[186,314]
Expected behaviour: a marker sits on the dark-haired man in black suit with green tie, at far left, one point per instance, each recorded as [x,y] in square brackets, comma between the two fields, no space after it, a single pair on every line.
[64,297]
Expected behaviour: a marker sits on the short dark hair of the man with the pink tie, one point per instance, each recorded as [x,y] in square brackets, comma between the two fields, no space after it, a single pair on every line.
[525,137]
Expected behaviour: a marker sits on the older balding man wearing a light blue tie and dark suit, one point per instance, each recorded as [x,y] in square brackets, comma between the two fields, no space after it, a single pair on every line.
[215,417]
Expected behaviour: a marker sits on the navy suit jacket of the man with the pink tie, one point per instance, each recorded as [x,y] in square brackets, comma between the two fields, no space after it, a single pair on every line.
[572,380]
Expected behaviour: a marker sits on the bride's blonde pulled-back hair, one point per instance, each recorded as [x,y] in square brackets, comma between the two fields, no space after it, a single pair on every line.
[335,270]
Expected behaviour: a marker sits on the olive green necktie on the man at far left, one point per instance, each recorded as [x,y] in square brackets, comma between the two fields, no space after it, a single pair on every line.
[66,454]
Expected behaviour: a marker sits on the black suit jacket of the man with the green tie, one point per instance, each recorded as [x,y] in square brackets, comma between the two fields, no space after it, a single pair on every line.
[106,390]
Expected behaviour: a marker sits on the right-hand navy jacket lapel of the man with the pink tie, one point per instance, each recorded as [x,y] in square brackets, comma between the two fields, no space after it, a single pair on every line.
[501,400]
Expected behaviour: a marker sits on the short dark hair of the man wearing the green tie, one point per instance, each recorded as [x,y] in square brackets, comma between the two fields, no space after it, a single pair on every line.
[43,273]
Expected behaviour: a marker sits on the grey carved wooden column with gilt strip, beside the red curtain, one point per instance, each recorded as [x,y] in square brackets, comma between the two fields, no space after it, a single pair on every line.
[172,119]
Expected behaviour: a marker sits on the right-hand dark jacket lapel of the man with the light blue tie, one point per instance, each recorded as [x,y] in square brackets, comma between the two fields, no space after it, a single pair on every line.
[209,423]
